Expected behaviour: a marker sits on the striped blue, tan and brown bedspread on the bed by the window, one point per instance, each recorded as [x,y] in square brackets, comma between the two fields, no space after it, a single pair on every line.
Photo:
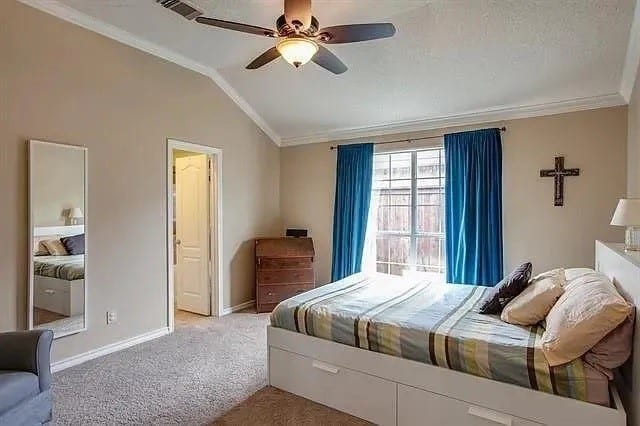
[437,324]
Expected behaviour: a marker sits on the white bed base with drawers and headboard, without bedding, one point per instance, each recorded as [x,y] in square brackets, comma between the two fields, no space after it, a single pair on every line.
[388,390]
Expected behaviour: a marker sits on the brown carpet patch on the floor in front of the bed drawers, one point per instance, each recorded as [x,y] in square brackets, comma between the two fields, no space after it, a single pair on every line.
[271,406]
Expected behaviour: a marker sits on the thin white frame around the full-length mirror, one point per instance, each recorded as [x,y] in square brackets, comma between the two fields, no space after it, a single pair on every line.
[32,143]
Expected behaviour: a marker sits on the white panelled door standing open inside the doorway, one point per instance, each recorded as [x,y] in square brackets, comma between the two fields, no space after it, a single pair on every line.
[192,235]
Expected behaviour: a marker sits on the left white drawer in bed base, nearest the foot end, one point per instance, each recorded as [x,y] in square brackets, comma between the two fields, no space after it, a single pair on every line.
[359,394]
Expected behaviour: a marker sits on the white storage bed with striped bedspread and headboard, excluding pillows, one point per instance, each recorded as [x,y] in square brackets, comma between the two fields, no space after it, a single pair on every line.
[418,353]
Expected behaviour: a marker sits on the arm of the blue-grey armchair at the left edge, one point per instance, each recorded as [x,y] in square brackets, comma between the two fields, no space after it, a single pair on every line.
[28,351]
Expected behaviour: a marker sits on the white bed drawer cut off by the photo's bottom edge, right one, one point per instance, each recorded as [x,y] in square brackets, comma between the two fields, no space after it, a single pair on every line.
[418,407]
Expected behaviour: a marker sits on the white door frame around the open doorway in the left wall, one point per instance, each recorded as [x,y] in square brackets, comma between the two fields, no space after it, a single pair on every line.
[215,222]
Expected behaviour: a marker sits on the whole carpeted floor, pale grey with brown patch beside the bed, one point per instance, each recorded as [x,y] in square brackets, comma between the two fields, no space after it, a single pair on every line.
[192,377]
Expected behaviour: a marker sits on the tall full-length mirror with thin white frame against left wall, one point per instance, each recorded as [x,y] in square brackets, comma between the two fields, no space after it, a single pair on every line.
[57,212]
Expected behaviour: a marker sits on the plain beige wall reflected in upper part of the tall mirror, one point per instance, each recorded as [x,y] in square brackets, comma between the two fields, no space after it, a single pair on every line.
[57,184]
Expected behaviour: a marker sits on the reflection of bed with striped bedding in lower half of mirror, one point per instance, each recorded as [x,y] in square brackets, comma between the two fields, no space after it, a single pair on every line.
[58,283]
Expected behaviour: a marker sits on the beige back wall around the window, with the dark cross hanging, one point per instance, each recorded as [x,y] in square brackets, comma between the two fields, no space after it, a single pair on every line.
[535,230]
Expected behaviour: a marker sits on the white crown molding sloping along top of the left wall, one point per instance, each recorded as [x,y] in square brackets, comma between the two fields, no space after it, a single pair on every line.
[66,13]
